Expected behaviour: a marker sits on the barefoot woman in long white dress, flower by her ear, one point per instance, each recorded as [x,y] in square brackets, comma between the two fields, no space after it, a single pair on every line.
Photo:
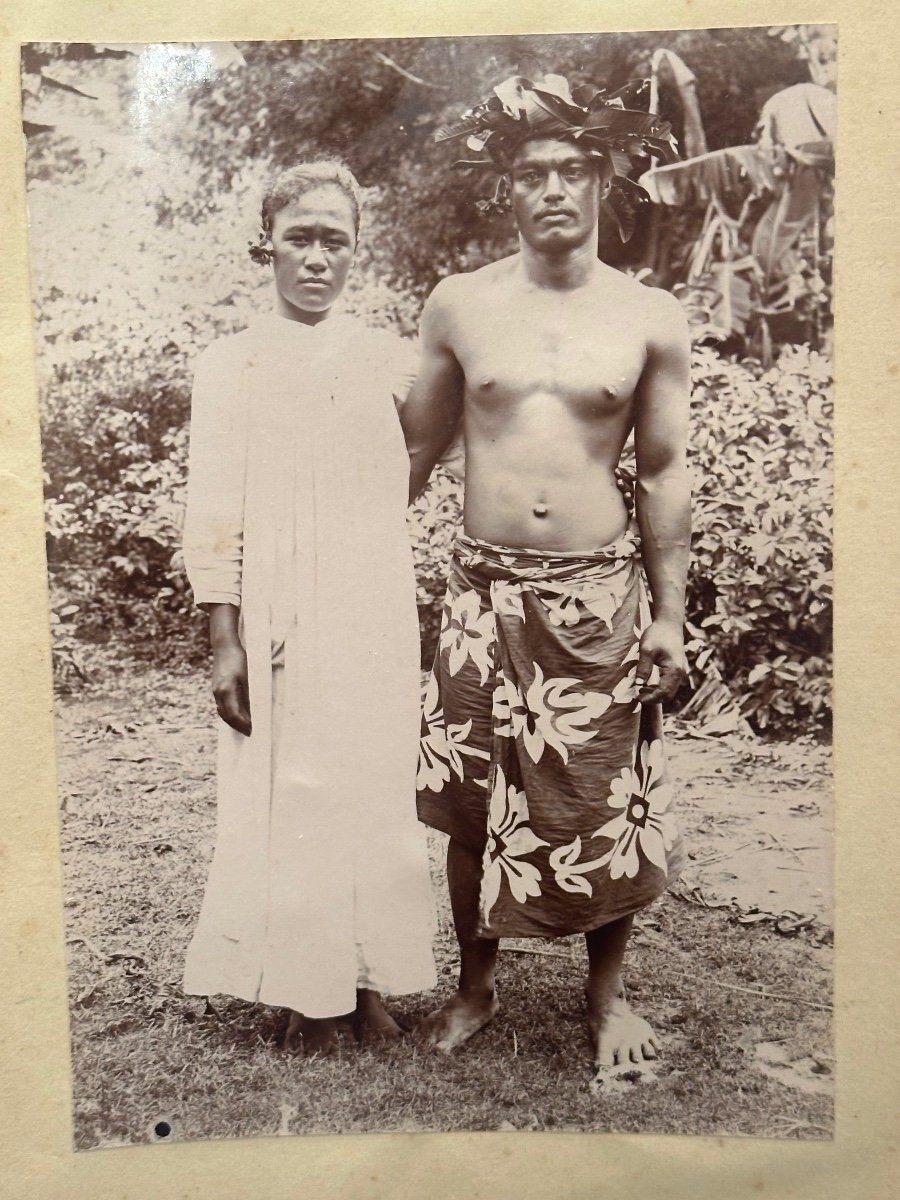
[319,898]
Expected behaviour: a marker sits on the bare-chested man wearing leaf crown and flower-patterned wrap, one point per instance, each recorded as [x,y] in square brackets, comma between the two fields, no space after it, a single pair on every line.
[542,752]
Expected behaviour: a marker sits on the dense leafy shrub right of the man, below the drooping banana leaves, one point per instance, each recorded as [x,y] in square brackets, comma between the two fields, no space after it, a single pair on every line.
[760,592]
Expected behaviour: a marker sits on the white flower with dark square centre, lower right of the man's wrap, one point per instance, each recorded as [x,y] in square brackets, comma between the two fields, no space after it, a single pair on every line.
[645,823]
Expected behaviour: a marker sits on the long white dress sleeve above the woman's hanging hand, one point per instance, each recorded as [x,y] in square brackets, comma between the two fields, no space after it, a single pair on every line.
[214,520]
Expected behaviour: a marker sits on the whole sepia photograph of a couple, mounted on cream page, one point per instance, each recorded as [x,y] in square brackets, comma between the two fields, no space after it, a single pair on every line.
[437,442]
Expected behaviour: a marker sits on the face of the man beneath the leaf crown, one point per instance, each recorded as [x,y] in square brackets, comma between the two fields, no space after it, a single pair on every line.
[556,195]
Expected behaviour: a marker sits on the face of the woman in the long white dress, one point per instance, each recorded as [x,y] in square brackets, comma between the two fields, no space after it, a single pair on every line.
[314,243]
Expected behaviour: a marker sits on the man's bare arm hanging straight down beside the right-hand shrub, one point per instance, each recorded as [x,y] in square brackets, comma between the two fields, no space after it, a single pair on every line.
[663,496]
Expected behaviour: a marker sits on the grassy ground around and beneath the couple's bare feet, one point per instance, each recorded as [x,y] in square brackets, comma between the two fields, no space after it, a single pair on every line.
[743,1010]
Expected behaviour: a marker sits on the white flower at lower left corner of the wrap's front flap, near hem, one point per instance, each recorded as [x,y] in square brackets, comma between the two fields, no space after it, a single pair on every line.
[511,839]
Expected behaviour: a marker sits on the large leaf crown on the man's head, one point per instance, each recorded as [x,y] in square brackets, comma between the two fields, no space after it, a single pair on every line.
[599,122]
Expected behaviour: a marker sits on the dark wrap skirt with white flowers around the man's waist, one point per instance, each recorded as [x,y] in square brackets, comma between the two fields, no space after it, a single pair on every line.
[535,749]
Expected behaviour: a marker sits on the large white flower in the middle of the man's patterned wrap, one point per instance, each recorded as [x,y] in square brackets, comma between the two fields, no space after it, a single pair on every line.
[550,713]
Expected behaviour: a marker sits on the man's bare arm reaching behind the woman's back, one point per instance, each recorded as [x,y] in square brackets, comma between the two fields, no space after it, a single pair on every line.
[431,415]
